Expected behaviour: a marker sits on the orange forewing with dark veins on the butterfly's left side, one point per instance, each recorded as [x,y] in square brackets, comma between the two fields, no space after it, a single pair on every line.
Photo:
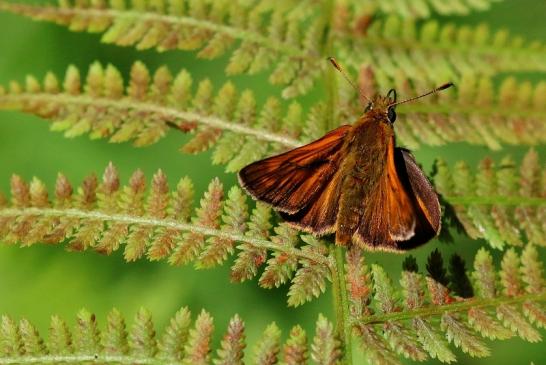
[291,180]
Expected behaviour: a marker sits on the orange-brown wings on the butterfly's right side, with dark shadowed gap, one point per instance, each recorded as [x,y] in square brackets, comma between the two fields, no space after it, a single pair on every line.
[404,211]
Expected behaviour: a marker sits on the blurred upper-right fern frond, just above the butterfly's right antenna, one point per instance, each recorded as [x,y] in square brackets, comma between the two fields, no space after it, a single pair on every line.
[436,53]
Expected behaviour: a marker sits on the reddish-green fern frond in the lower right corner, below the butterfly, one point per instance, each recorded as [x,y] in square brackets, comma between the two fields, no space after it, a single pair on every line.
[419,319]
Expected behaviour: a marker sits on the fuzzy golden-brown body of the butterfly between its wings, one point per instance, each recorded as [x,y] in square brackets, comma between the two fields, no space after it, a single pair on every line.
[366,152]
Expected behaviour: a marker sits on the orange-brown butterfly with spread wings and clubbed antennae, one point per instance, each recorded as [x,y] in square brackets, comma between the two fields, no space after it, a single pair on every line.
[353,182]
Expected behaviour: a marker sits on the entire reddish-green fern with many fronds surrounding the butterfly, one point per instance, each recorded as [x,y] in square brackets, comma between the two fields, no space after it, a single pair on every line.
[388,45]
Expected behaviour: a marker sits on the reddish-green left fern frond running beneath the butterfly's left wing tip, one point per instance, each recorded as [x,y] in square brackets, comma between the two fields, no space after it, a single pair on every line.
[161,225]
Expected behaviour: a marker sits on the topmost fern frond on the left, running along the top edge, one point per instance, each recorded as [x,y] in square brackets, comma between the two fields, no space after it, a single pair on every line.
[258,37]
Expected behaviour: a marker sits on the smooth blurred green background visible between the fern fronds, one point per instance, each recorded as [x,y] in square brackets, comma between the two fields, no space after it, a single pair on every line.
[40,281]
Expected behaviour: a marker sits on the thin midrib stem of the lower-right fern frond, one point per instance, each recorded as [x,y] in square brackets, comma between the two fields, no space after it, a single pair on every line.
[462,306]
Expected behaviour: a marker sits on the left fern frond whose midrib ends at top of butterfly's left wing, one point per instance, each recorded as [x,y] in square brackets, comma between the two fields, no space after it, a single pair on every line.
[150,105]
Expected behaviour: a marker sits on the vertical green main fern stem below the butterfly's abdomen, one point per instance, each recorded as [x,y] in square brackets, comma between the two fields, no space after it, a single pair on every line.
[341,304]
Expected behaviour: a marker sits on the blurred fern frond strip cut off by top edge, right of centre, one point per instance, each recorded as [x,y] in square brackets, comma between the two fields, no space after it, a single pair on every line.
[421,8]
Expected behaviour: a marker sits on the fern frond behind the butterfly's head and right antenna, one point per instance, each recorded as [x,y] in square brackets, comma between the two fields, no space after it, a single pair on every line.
[475,111]
